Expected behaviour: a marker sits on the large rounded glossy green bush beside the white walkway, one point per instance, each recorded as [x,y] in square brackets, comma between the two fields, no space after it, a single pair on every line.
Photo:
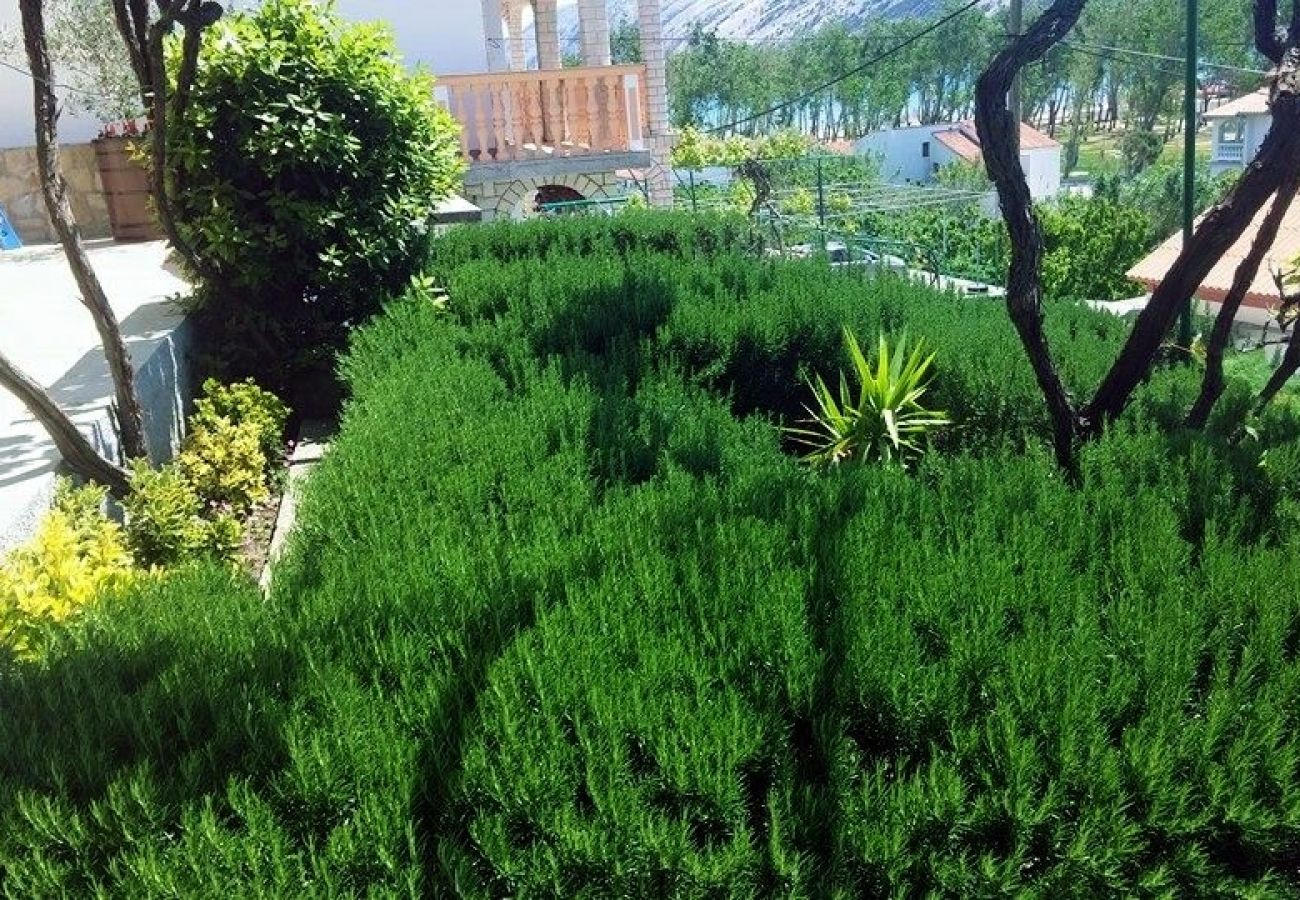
[307,167]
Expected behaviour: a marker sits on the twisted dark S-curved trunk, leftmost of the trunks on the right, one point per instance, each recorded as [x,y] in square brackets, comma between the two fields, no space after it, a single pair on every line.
[1000,141]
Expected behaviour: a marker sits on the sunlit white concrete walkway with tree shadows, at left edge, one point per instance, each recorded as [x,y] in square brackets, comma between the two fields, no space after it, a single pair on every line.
[46,331]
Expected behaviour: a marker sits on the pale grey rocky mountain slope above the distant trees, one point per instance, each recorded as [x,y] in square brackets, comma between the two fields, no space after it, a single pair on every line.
[756,20]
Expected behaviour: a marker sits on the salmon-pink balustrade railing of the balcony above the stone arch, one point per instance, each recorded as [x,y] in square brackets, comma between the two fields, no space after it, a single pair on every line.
[509,116]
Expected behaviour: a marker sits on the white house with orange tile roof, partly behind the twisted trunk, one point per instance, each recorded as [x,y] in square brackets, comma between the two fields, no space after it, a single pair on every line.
[915,155]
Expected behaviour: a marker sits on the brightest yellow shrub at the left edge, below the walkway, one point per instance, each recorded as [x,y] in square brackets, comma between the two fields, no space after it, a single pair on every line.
[76,556]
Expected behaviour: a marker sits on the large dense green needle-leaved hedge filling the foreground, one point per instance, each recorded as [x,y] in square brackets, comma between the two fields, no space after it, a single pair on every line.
[560,624]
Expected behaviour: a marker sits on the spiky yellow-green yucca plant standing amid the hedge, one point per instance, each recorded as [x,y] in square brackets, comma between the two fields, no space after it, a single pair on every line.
[881,419]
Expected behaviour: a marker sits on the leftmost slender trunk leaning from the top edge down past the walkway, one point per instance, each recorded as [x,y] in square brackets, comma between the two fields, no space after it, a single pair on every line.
[131,417]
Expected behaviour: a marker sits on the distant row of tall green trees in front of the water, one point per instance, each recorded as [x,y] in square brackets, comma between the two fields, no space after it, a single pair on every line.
[1120,70]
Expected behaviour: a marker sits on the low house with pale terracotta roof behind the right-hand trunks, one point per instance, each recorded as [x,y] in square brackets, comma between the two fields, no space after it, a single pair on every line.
[1263,296]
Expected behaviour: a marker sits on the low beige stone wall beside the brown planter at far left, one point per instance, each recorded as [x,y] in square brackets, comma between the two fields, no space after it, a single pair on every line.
[23,202]
